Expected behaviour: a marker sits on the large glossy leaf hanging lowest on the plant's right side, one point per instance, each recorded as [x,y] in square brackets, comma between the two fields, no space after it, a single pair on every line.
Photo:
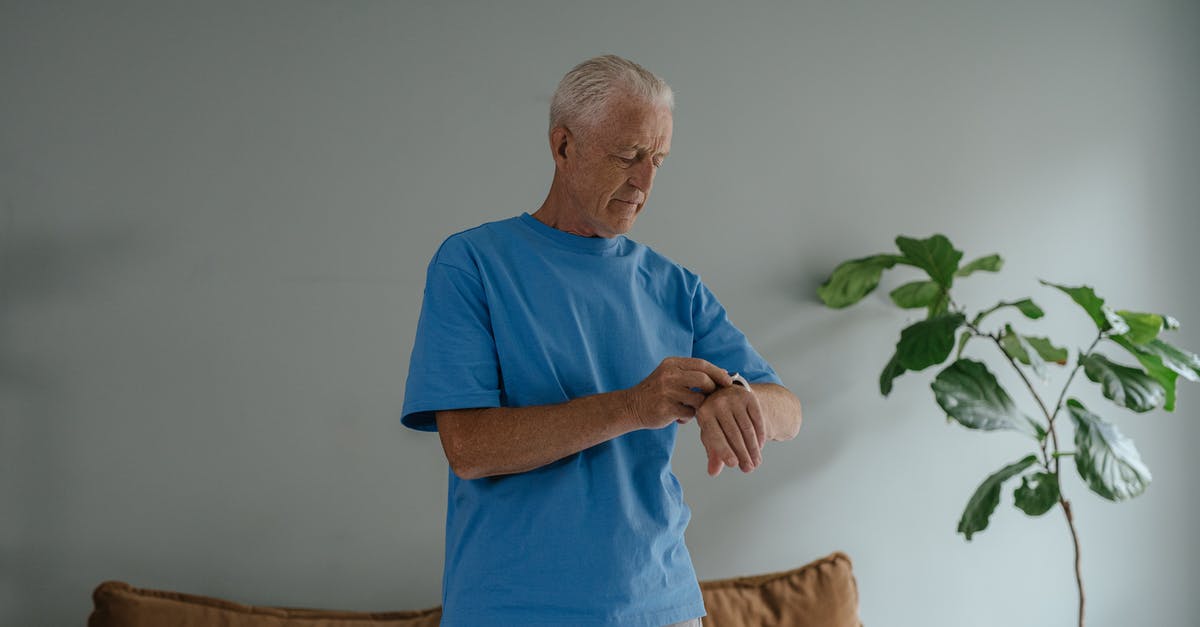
[1106,459]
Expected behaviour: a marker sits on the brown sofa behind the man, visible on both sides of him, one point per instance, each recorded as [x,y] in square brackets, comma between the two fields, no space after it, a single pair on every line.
[823,594]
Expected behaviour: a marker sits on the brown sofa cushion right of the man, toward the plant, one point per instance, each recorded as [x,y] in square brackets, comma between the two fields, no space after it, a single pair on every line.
[823,594]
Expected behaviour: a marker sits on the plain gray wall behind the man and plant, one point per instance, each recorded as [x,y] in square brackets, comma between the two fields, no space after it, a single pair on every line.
[215,222]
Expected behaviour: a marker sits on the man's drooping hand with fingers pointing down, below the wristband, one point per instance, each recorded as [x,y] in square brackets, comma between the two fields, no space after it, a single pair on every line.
[733,431]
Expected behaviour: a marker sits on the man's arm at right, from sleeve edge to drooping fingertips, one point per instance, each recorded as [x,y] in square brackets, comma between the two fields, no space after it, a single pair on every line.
[736,423]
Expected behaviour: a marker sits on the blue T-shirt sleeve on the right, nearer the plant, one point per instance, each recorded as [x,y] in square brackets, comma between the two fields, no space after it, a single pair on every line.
[717,341]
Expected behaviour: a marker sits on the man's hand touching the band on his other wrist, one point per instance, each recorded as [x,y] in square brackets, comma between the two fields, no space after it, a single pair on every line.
[670,393]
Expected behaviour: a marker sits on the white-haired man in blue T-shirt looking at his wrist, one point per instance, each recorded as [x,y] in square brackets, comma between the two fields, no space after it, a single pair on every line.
[556,359]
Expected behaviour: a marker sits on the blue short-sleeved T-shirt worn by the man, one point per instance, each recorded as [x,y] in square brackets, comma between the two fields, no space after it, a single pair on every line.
[520,314]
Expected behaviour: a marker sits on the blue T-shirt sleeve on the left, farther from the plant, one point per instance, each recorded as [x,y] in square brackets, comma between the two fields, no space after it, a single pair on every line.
[454,363]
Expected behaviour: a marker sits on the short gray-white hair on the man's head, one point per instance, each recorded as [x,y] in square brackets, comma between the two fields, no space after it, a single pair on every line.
[585,92]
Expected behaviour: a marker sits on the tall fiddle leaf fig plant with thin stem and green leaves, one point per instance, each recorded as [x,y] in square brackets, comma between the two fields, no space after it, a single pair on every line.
[970,395]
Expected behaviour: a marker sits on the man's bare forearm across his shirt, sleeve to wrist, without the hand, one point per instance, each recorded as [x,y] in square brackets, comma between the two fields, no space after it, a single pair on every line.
[508,440]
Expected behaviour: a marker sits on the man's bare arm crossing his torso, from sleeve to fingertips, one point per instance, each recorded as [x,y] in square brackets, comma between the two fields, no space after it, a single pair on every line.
[485,443]
